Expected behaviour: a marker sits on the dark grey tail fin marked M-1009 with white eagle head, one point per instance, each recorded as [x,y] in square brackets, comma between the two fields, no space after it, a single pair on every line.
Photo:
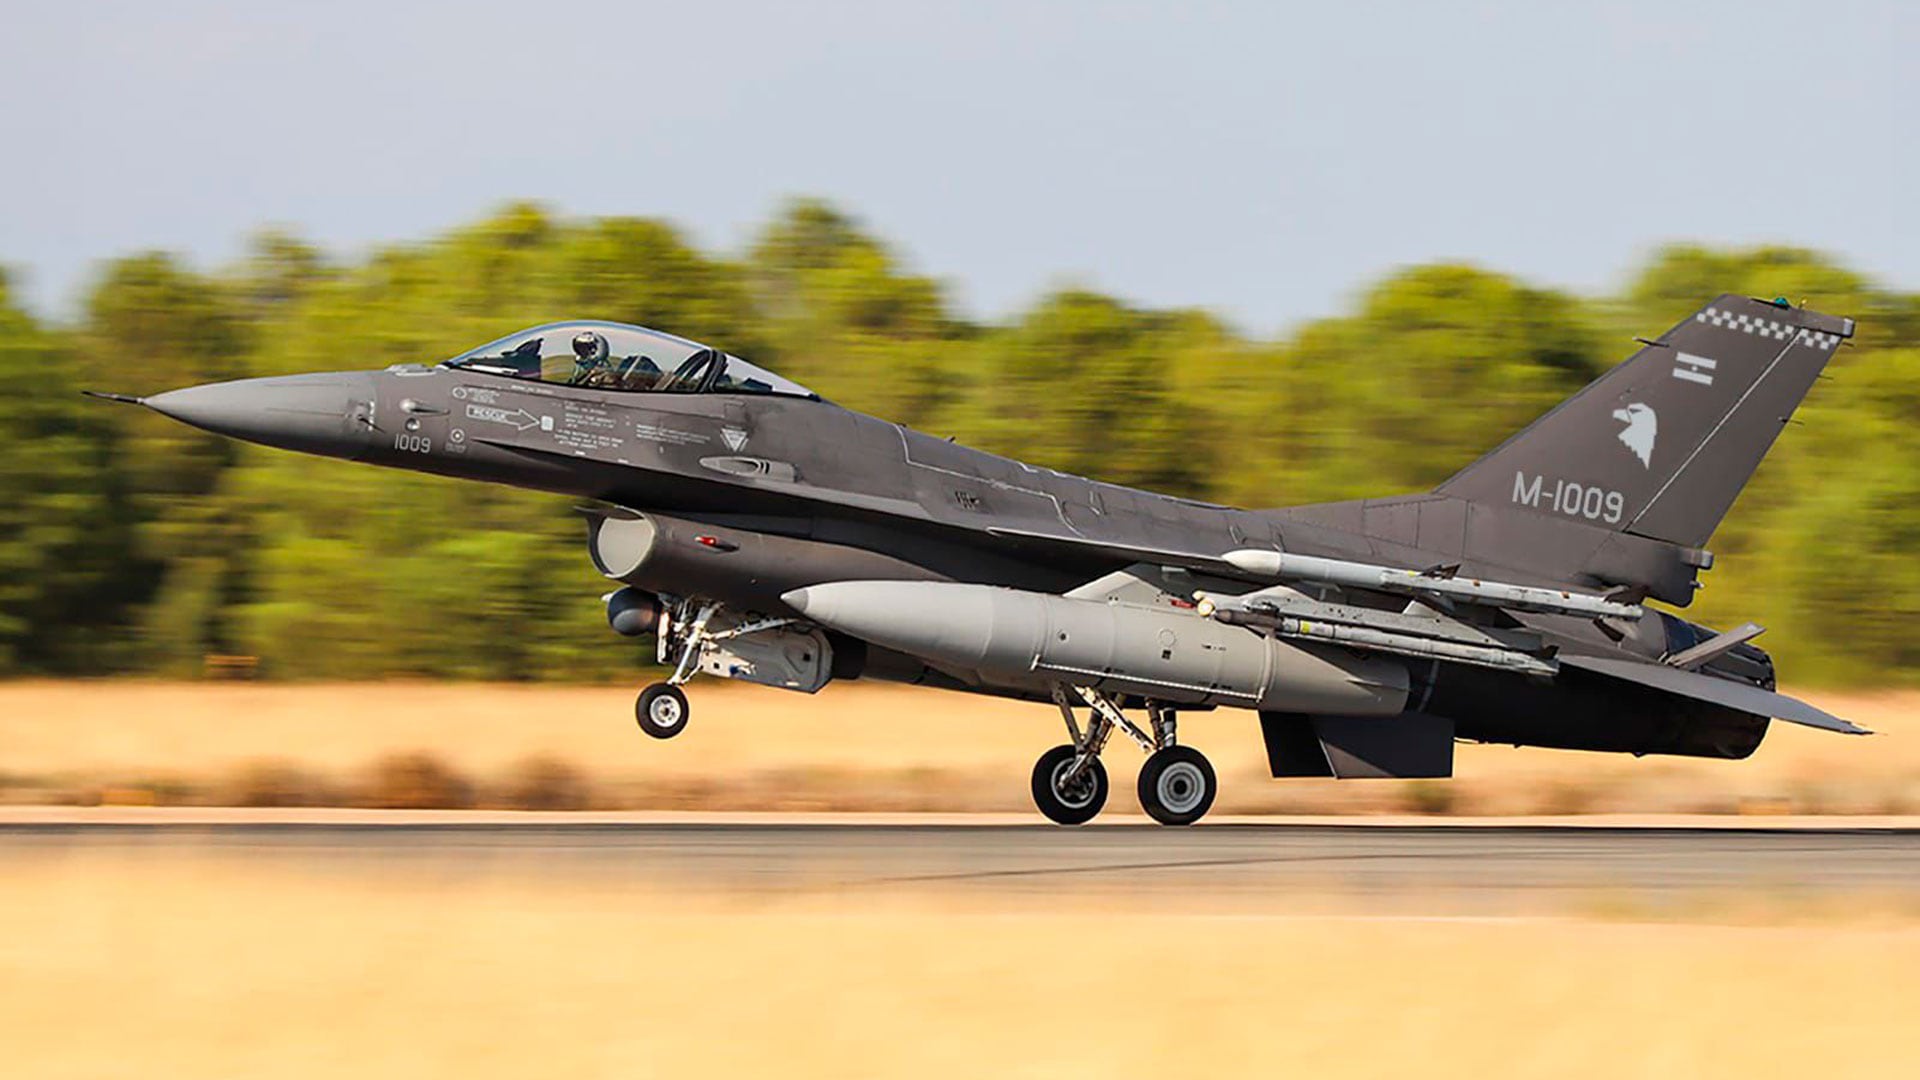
[1662,445]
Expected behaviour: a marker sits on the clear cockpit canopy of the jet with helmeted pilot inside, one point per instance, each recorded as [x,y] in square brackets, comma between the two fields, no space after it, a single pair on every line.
[615,356]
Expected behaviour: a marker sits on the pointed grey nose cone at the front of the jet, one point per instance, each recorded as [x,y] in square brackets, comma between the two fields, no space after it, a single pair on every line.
[316,414]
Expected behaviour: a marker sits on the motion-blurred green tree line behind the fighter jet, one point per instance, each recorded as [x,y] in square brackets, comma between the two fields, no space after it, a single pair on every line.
[130,543]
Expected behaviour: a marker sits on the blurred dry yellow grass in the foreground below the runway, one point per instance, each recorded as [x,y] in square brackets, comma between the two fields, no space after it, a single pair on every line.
[155,966]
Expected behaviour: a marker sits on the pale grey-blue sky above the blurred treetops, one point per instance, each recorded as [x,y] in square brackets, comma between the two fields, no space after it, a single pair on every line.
[1260,160]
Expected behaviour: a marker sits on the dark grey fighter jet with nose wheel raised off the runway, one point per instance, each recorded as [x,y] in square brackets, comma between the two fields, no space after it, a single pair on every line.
[763,533]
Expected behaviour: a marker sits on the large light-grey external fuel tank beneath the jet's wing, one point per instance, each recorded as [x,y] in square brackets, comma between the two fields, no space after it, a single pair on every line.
[1009,637]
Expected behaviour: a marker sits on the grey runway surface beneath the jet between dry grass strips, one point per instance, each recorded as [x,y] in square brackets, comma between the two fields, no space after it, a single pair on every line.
[1429,868]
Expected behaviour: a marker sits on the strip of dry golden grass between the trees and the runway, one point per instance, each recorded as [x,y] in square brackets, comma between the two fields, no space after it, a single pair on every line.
[848,749]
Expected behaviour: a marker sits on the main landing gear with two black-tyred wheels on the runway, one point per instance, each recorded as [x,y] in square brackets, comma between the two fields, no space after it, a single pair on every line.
[1070,785]
